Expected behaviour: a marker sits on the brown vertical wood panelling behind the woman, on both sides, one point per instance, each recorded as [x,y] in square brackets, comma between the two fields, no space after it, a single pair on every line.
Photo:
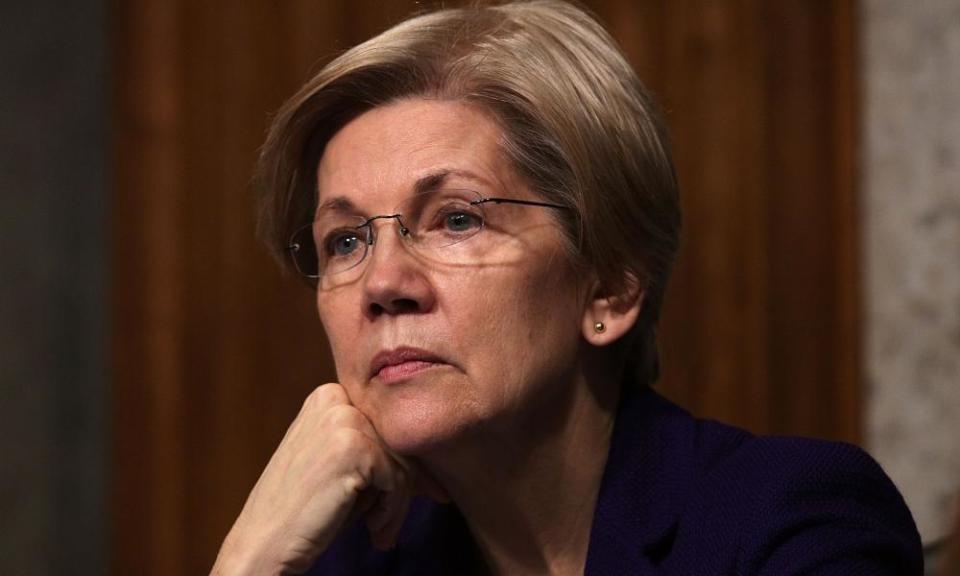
[214,350]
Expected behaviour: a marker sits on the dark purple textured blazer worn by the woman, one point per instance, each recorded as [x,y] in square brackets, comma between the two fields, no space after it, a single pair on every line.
[682,496]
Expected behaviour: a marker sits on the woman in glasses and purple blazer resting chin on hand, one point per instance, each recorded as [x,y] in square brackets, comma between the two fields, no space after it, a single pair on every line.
[485,201]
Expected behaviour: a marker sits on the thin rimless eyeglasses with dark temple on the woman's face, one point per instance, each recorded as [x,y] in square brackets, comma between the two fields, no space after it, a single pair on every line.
[436,224]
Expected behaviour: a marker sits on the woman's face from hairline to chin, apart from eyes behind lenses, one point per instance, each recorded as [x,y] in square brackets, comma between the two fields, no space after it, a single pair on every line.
[428,349]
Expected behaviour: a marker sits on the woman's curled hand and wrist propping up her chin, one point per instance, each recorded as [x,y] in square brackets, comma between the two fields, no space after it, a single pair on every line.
[330,467]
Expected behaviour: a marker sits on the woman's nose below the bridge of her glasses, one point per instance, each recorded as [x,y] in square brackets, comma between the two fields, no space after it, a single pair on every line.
[394,281]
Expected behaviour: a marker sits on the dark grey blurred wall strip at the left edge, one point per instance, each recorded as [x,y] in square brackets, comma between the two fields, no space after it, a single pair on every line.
[52,212]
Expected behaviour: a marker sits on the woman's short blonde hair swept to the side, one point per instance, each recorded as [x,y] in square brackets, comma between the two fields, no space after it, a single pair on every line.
[578,126]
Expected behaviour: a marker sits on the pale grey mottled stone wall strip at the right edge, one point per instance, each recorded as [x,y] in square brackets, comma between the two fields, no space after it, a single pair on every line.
[911,198]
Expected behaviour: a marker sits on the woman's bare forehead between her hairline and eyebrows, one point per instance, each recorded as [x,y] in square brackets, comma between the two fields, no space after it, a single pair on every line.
[383,155]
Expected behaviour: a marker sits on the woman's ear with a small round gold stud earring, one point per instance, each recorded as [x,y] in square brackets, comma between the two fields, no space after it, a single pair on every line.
[607,317]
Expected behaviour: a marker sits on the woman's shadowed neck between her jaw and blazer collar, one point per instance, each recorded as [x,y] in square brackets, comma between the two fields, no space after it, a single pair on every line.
[531,511]
